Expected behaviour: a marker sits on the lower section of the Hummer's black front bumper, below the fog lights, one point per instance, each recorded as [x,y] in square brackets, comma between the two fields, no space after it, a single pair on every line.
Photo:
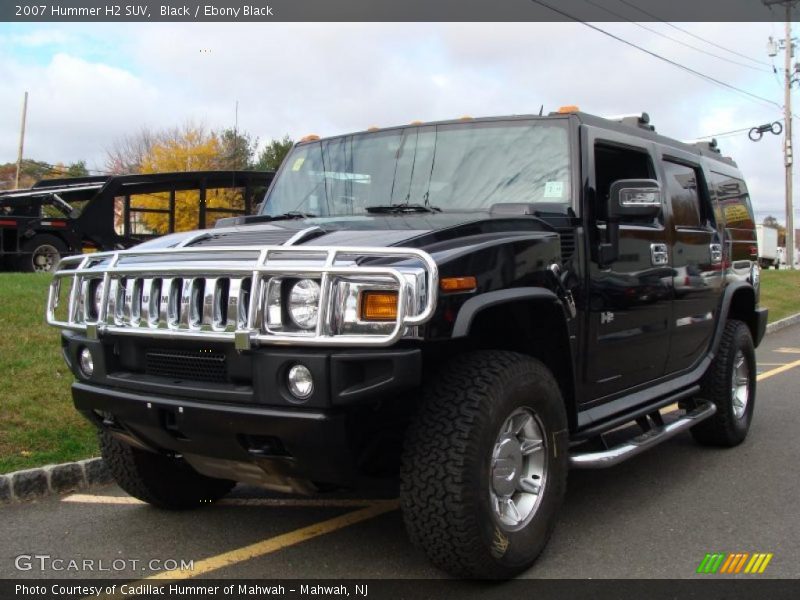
[281,449]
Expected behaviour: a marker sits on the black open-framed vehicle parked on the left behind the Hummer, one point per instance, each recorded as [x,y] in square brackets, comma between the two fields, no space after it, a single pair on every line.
[60,217]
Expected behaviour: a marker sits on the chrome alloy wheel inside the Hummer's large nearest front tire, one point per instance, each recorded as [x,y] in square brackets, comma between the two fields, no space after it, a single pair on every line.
[518,469]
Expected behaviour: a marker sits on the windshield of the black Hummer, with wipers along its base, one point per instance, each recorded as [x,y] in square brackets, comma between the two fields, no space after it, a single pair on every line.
[463,166]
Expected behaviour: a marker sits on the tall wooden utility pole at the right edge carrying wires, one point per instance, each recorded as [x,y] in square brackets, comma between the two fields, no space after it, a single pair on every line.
[788,79]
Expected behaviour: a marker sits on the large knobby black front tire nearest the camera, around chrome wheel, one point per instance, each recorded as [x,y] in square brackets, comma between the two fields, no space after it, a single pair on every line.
[445,473]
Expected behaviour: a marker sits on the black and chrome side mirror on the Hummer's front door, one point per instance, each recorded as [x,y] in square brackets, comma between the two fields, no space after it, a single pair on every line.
[627,198]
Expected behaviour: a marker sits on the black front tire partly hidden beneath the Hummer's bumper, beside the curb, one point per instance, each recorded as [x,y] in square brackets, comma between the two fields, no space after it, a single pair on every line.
[159,480]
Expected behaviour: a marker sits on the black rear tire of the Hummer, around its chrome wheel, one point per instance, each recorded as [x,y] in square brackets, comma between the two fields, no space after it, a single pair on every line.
[724,429]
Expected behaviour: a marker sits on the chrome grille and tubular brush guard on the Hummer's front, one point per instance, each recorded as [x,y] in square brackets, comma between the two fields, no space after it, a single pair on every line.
[139,292]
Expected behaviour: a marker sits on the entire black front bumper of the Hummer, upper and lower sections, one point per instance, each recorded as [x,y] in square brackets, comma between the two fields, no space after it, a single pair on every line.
[248,427]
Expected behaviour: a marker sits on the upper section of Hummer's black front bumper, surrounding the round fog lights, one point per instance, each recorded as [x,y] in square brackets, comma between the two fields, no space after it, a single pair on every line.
[258,376]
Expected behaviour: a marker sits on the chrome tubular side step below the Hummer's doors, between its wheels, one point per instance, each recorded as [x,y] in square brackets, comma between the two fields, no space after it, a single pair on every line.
[642,442]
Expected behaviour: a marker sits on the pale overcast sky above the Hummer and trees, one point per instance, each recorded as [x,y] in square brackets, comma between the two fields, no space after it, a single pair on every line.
[89,84]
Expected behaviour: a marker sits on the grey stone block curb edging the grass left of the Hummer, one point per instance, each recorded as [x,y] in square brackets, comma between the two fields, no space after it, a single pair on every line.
[32,484]
